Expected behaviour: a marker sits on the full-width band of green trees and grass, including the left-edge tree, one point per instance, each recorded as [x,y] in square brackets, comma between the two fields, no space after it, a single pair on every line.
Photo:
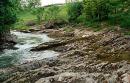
[91,13]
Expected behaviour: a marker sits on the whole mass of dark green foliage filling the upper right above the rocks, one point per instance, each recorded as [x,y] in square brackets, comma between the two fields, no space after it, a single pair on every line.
[116,12]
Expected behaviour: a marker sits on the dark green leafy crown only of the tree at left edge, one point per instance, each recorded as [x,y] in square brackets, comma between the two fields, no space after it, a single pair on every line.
[7,13]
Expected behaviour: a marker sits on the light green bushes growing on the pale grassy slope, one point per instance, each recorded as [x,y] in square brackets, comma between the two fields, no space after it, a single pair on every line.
[49,13]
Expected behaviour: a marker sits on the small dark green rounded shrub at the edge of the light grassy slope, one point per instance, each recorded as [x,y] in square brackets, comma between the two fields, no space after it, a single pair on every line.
[74,11]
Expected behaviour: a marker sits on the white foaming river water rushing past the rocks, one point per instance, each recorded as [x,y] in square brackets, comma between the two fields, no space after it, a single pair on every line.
[23,54]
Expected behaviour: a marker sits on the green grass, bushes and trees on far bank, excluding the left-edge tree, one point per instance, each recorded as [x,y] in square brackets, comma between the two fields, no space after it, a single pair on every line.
[91,13]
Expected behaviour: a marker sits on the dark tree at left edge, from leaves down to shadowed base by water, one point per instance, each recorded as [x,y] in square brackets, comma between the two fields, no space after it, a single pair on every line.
[7,18]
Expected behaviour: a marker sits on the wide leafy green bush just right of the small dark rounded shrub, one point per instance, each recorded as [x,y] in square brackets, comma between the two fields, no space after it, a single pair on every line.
[96,9]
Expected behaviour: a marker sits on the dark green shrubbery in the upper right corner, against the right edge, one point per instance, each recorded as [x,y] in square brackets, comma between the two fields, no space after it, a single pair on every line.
[120,13]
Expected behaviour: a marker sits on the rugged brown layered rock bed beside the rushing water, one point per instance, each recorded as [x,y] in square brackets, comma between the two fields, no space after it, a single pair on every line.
[86,57]
